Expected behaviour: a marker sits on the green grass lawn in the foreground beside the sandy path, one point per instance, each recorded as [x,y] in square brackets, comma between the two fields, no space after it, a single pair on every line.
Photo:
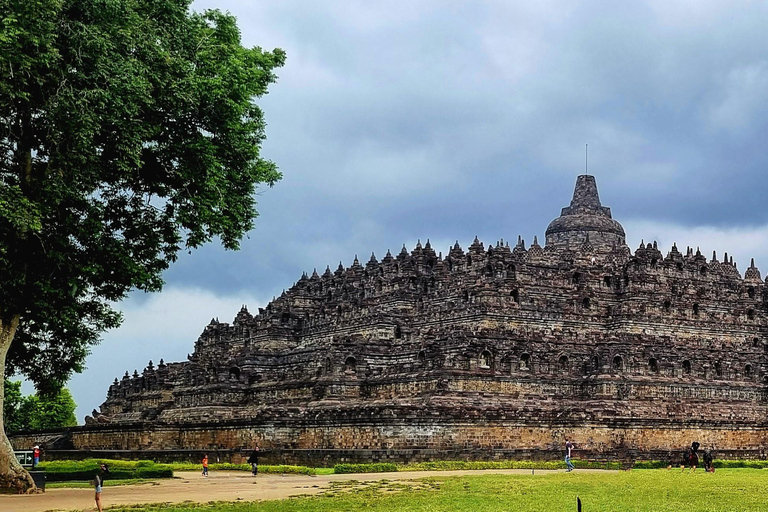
[727,490]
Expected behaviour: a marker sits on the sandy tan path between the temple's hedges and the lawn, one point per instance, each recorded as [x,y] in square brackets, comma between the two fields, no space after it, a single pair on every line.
[219,486]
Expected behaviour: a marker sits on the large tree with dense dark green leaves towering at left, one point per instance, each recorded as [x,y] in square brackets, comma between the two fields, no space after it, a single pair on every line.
[129,132]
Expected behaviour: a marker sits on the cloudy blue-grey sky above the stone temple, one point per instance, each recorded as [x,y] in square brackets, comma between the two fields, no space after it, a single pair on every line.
[443,120]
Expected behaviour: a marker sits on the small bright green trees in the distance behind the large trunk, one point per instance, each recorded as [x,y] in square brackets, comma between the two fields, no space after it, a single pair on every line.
[37,412]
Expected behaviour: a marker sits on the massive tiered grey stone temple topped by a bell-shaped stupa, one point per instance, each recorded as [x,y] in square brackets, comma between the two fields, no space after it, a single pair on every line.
[493,351]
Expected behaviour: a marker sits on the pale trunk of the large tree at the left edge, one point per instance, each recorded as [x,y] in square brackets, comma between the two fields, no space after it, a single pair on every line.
[12,475]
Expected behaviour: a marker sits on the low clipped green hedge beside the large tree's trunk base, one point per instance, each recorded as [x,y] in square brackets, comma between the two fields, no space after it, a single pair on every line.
[66,470]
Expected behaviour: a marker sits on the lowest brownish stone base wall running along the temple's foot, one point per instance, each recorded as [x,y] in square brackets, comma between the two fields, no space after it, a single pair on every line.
[328,444]
